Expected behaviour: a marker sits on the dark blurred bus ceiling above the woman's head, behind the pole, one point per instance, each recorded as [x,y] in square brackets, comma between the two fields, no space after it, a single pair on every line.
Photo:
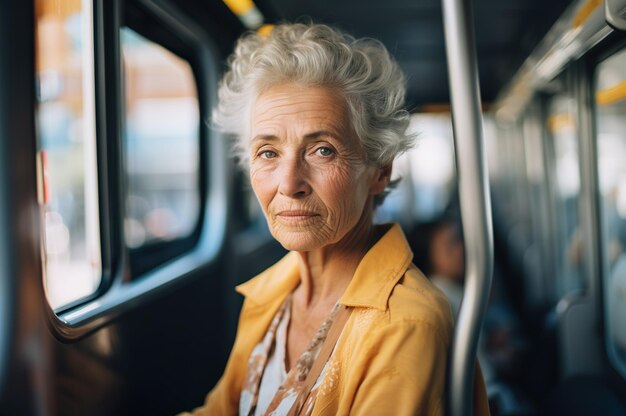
[413,32]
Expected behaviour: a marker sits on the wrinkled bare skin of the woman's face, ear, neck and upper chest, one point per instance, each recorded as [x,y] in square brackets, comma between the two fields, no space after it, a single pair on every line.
[309,172]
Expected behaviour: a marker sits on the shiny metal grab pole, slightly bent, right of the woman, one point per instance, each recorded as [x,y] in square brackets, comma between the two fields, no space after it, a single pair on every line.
[475,202]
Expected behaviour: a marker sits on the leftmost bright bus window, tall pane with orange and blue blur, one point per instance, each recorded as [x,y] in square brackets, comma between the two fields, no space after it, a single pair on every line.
[67,150]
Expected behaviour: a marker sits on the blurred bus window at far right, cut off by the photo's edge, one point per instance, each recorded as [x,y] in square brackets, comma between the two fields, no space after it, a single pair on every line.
[610,97]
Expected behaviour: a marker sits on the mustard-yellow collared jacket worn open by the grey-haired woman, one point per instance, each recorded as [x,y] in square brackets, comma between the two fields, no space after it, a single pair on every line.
[391,357]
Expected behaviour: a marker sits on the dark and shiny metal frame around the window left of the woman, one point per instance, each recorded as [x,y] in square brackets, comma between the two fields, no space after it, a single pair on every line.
[118,292]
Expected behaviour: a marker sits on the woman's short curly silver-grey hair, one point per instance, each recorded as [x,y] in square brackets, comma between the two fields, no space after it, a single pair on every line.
[311,55]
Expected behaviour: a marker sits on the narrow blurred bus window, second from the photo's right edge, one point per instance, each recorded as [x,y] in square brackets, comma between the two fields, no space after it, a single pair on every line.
[561,128]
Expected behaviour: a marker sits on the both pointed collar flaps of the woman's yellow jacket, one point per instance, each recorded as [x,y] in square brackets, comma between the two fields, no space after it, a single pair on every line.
[374,279]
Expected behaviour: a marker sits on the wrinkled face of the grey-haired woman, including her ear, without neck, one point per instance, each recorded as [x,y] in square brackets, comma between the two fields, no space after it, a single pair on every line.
[308,168]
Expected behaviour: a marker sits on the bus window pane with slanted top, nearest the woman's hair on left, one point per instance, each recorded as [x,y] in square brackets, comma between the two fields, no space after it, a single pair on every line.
[162,143]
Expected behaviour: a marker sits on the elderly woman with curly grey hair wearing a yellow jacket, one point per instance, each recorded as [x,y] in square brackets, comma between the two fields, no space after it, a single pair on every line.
[344,323]
